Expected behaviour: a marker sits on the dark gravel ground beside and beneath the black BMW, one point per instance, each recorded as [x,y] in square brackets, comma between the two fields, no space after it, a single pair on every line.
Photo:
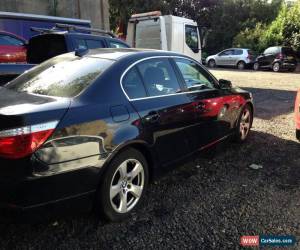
[209,202]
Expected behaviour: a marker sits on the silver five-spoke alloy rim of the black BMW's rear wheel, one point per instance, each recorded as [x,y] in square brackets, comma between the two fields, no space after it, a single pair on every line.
[127,185]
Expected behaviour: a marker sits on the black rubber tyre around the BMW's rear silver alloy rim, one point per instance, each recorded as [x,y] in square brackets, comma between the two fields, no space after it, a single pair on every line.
[103,201]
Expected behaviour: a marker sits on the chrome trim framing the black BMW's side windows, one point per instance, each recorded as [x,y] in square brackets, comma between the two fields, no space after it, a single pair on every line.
[159,96]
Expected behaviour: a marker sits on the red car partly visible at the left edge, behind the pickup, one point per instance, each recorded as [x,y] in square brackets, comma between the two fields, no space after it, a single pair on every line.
[12,48]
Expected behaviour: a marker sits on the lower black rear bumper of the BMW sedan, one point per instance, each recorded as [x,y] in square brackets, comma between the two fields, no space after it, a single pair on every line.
[40,198]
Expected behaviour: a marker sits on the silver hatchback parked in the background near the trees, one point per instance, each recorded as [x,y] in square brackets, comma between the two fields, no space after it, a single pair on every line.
[235,57]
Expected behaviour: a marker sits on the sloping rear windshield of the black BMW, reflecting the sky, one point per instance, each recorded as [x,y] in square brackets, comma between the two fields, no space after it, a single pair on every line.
[62,76]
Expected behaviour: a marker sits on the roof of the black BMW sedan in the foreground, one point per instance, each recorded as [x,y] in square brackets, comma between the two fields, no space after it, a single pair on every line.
[118,53]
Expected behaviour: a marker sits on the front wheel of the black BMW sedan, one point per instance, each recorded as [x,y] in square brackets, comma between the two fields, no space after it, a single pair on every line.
[244,124]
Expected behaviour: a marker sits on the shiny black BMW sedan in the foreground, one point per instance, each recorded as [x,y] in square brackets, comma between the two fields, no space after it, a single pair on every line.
[88,130]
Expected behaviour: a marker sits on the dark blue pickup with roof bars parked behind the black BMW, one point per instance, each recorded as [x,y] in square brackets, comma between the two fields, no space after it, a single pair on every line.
[51,43]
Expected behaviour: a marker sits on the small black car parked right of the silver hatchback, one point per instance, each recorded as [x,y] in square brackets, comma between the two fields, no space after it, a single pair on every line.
[276,58]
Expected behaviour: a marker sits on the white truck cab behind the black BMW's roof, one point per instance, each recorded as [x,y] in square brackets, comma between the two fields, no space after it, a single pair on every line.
[153,31]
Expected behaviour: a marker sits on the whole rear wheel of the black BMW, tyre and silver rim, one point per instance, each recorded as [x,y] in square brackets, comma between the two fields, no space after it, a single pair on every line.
[123,185]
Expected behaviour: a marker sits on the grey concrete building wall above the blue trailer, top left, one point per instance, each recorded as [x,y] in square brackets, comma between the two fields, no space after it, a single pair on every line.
[95,10]
